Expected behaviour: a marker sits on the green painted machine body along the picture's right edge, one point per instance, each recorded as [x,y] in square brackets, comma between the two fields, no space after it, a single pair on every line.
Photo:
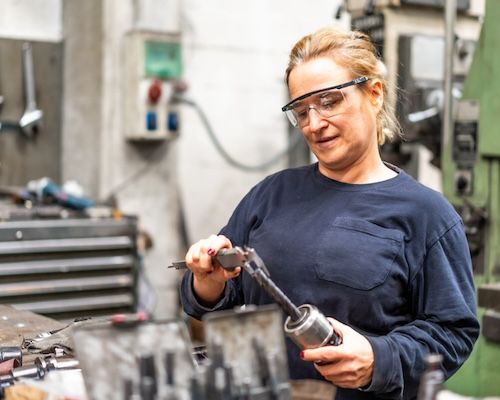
[471,181]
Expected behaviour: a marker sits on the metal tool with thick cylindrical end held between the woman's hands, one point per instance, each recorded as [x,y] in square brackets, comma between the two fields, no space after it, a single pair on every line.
[305,325]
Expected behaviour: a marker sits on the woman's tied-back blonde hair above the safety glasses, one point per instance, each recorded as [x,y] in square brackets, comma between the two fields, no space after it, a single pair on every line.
[355,51]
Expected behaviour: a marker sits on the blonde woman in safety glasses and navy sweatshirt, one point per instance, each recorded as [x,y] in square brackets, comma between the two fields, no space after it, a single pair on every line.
[385,257]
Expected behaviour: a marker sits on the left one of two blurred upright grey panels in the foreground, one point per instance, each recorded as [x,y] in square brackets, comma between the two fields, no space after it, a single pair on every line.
[151,360]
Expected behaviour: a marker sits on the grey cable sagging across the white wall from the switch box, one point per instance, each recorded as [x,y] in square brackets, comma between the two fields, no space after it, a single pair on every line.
[224,153]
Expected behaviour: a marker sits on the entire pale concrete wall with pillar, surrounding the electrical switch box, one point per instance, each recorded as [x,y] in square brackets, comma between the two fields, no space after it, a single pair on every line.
[235,53]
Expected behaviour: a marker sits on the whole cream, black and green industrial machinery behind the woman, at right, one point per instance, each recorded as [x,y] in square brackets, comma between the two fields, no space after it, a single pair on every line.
[447,103]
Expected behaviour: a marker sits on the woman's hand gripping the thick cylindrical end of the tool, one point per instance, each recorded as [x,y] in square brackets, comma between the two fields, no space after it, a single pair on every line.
[349,365]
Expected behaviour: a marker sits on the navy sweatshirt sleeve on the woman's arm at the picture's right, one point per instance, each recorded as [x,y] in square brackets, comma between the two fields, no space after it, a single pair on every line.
[442,295]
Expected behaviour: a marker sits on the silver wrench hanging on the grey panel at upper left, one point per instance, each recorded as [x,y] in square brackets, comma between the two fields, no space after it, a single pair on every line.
[30,120]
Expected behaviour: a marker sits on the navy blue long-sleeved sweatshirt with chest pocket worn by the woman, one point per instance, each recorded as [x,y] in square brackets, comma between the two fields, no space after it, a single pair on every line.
[390,259]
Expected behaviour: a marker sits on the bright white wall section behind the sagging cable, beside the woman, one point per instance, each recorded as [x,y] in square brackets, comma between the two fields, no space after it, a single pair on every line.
[235,57]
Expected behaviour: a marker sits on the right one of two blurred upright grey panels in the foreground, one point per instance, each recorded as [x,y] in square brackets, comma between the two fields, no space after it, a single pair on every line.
[246,350]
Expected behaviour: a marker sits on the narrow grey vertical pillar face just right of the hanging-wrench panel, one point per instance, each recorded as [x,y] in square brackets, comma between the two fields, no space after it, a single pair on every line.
[81,129]
